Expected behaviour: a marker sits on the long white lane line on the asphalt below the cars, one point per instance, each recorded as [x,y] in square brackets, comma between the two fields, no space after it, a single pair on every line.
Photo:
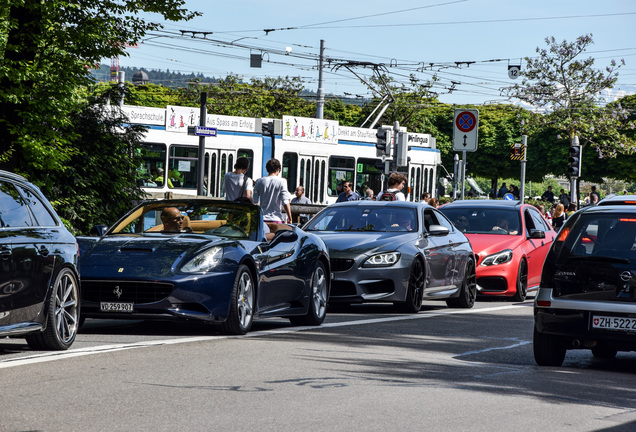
[60,355]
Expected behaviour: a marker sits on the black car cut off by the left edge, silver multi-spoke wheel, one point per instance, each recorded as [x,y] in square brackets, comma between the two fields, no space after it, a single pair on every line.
[39,284]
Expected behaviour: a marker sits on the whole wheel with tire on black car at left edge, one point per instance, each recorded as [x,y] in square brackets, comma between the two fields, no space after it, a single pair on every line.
[62,321]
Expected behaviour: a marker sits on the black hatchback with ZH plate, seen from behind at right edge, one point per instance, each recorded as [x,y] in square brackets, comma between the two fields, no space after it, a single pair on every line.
[587,295]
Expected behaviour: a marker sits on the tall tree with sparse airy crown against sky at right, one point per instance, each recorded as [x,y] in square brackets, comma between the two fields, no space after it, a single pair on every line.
[569,89]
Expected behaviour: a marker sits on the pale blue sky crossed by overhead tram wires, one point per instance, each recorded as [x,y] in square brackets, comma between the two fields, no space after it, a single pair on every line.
[408,37]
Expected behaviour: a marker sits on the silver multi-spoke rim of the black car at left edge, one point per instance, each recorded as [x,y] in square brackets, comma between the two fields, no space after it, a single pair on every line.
[66,308]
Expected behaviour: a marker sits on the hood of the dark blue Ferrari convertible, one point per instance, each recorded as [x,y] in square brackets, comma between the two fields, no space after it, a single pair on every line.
[140,251]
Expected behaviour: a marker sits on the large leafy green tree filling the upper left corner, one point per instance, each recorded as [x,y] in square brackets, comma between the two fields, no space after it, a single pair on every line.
[46,50]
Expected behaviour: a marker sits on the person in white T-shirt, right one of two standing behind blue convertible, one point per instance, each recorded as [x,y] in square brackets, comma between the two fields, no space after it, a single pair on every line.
[271,193]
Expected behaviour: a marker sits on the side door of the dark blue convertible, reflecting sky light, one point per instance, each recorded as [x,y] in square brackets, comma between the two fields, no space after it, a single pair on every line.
[280,283]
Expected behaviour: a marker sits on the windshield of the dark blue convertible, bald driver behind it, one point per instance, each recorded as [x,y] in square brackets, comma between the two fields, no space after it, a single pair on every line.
[220,218]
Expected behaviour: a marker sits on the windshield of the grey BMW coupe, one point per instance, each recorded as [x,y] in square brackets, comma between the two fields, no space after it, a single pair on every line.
[362,218]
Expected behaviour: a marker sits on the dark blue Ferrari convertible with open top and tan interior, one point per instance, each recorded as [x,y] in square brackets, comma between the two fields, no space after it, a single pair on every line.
[207,260]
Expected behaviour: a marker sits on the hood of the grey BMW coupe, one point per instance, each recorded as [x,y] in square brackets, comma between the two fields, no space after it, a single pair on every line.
[363,243]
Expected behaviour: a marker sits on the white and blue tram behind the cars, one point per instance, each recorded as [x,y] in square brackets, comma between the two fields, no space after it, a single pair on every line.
[317,154]
